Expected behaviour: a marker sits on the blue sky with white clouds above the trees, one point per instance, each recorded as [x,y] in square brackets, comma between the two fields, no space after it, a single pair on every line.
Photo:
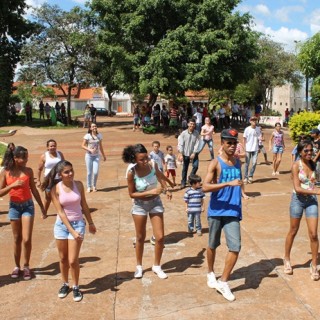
[286,21]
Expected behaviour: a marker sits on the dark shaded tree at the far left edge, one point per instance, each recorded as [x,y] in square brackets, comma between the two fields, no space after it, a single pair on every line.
[14,30]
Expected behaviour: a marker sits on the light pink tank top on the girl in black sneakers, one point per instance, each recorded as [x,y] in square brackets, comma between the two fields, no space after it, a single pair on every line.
[70,202]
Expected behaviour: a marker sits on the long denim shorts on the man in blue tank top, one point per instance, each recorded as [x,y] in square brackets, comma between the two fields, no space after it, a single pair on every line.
[231,229]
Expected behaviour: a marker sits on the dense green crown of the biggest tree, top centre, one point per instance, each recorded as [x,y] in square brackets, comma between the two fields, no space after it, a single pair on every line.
[171,46]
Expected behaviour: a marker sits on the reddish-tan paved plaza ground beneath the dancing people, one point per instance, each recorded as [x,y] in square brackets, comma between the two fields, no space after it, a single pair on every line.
[107,259]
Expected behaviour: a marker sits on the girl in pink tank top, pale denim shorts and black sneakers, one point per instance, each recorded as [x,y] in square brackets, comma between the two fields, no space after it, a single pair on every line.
[69,200]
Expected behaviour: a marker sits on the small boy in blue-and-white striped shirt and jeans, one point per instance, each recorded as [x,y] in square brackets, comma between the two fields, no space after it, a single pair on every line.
[194,198]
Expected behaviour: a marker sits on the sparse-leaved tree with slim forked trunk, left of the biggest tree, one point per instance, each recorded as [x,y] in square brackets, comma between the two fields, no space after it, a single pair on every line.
[61,49]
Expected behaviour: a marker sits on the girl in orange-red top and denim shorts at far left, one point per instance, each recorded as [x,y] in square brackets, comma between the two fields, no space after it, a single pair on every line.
[18,180]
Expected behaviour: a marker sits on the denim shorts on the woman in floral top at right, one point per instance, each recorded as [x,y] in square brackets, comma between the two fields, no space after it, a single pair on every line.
[300,202]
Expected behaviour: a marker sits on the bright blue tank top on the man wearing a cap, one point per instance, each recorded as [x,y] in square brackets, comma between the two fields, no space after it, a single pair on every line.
[226,202]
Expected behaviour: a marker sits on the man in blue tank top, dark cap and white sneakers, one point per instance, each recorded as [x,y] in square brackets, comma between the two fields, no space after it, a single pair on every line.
[224,181]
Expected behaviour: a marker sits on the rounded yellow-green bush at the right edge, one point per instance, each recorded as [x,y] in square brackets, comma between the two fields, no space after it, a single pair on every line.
[303,123]
